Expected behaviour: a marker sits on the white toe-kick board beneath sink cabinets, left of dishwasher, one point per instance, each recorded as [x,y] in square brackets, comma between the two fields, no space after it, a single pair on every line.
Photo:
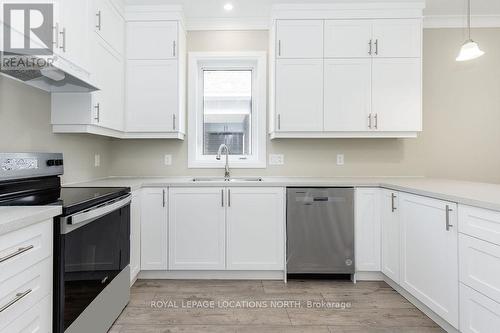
[213,275]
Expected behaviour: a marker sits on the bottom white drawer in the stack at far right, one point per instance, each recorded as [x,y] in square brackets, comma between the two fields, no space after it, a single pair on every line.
[478,313]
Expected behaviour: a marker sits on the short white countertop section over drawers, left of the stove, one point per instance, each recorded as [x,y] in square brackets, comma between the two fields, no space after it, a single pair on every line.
[17,217]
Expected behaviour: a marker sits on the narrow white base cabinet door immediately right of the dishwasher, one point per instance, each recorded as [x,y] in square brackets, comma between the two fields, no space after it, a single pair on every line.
[367,229]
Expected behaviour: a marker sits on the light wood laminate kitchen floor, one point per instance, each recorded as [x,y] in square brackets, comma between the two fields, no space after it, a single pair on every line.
[259,306]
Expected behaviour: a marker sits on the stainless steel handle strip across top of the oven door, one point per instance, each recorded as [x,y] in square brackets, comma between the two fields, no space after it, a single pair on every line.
[71,222]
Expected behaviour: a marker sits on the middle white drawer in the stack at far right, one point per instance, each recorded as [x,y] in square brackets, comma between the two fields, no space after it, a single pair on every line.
[480,265]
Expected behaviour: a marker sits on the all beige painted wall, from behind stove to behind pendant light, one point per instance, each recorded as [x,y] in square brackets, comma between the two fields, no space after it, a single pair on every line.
[460,138]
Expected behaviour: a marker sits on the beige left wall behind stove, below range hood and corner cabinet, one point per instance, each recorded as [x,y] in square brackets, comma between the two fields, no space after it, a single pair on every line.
[25,127]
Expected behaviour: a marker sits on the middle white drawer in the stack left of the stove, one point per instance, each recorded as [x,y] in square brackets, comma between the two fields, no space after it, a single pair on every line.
[24,290]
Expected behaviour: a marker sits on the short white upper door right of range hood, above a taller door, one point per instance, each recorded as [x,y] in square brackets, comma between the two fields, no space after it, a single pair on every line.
[109,24]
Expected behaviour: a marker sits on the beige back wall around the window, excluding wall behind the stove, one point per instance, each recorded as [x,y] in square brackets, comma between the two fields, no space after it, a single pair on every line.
[454,126]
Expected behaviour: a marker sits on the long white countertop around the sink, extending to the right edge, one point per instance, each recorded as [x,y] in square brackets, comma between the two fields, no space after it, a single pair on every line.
[482,195]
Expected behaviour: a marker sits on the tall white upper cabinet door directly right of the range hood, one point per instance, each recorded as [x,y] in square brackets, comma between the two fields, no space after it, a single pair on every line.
[108,73]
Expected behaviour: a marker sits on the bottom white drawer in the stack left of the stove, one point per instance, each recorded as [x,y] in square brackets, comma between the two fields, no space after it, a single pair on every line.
[36,319]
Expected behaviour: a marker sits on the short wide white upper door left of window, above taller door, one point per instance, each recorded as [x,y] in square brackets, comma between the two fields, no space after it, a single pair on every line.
[153,40]
